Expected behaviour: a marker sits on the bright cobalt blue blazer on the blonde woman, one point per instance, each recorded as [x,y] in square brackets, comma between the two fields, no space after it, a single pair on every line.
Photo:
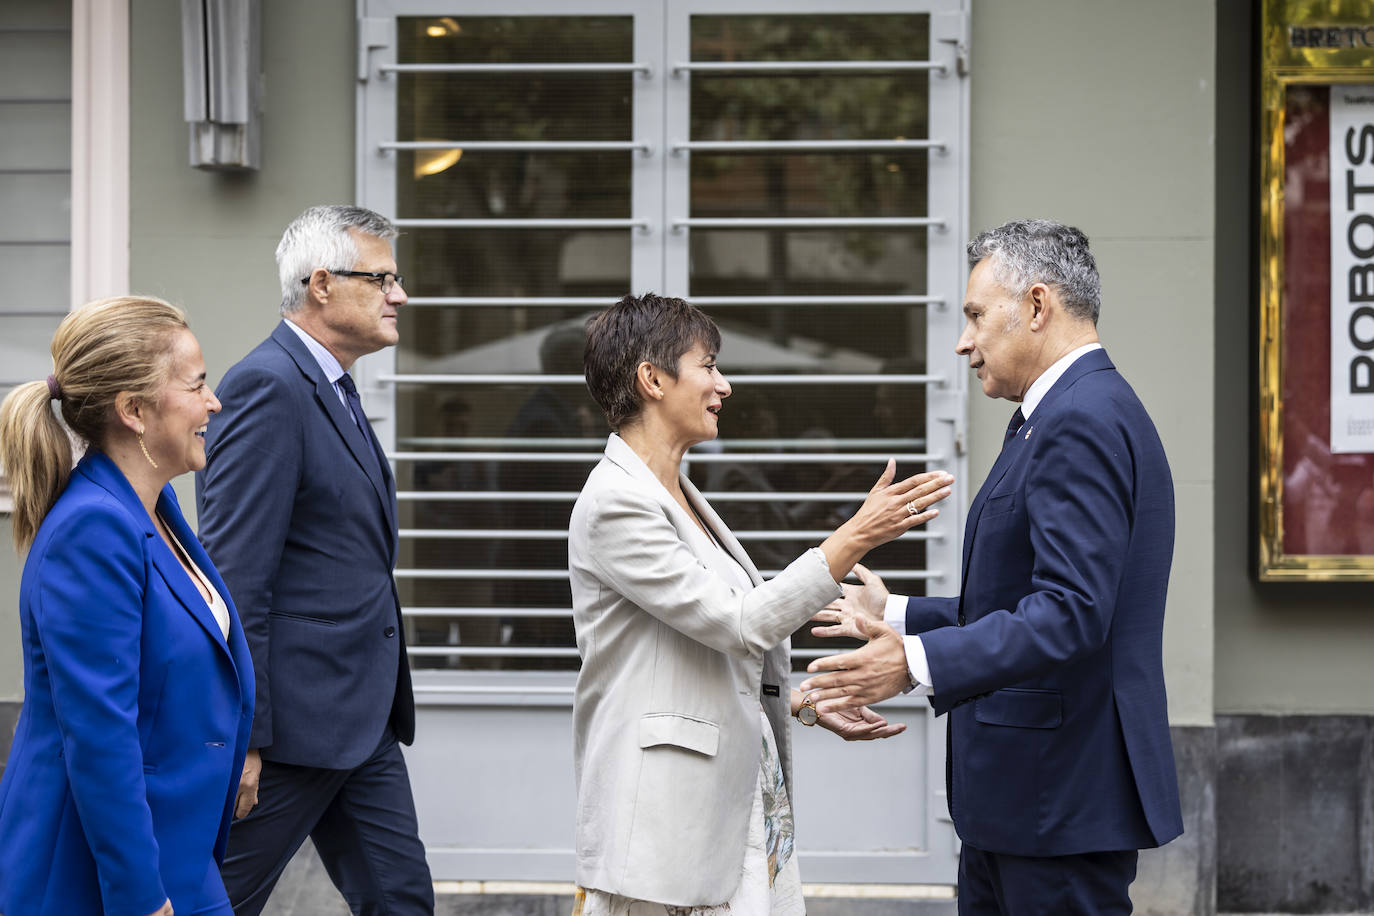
[126,763]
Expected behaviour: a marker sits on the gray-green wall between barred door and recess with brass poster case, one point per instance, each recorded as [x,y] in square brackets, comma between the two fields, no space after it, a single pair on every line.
[1101,116]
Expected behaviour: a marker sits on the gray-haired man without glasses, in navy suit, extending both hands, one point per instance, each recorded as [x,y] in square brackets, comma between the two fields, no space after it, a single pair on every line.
[1049,661]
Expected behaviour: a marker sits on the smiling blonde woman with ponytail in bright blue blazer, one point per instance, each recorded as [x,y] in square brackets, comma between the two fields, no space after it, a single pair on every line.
[122,782]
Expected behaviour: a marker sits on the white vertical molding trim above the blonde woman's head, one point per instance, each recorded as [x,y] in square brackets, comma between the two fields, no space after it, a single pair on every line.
[100,149]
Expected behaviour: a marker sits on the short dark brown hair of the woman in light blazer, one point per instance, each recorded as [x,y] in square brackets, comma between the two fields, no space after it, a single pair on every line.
[640,329]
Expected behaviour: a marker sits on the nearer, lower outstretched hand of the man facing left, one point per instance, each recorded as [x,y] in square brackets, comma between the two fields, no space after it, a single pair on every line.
[865,676]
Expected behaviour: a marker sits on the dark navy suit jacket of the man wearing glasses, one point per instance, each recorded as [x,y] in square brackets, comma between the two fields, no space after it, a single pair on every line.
[300,517]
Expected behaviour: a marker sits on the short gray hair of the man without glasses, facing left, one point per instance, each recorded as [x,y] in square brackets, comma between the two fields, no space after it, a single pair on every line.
[1030,252]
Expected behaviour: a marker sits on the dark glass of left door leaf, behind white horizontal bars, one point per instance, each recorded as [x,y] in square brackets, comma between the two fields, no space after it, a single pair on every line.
[455,549]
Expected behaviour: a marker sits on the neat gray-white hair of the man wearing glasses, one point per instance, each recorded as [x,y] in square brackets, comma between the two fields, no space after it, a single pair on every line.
[319,238]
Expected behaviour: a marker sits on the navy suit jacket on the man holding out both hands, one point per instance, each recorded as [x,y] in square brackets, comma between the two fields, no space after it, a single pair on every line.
[1049,663]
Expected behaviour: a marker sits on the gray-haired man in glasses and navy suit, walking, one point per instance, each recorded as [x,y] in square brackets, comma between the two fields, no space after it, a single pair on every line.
[297,510]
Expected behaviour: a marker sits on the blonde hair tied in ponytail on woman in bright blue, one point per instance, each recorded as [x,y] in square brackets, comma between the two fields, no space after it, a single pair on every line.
[100,351]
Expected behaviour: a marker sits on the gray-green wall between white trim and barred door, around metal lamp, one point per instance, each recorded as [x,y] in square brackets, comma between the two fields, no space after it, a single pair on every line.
[204,240]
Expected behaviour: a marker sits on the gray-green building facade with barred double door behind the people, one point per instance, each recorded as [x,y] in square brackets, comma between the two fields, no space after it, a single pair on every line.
[543,160]
